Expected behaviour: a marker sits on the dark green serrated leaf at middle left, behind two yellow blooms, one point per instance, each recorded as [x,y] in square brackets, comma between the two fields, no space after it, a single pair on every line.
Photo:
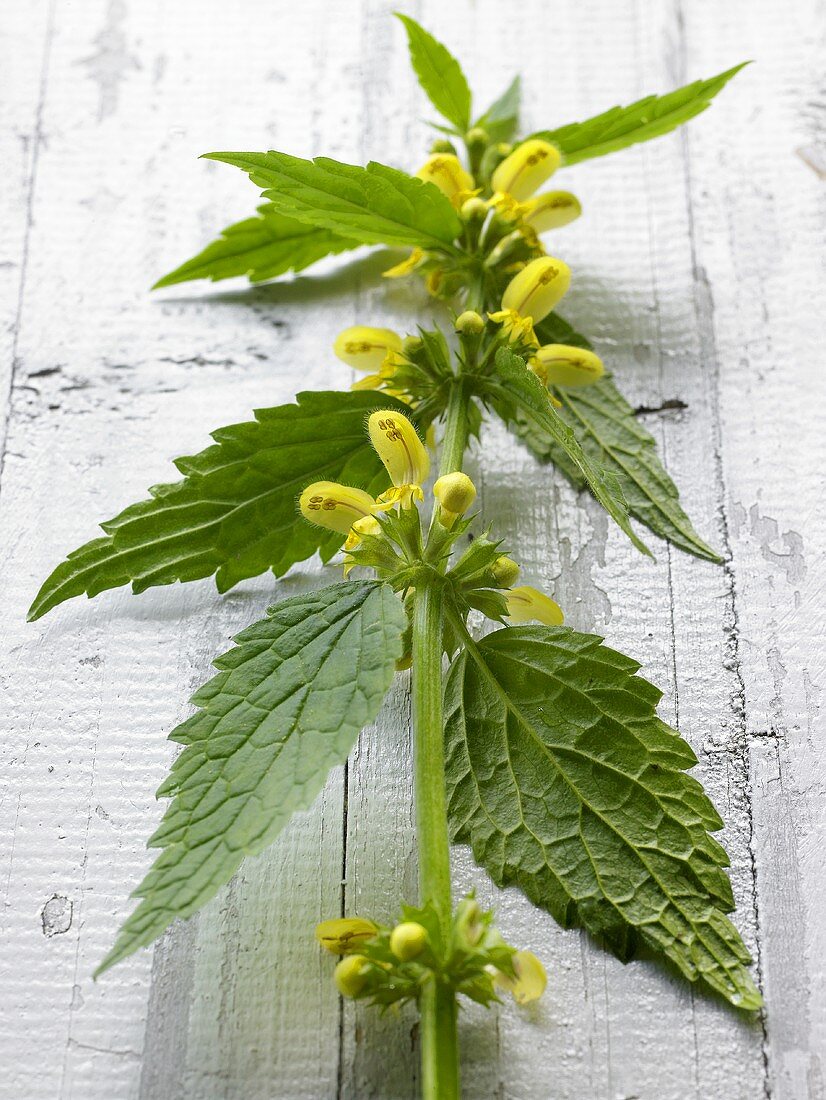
[235,513]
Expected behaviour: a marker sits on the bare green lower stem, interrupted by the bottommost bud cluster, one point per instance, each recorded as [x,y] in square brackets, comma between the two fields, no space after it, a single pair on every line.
[437,1004]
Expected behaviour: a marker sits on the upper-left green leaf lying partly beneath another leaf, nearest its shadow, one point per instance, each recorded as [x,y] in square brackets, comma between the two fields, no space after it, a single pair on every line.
[261,248]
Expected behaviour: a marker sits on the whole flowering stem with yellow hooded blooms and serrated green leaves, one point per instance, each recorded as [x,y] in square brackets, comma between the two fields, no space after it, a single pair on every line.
[541,747]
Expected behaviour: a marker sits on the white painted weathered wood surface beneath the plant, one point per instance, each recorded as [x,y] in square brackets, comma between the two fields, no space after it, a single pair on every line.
[699,268]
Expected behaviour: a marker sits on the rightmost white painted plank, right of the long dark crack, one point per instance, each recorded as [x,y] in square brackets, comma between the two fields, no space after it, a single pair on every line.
[759,245]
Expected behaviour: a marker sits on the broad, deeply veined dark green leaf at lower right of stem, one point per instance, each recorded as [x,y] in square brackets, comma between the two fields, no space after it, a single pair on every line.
[566,784]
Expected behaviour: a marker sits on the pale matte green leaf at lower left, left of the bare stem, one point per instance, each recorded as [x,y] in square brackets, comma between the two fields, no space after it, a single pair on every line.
[285,708]
